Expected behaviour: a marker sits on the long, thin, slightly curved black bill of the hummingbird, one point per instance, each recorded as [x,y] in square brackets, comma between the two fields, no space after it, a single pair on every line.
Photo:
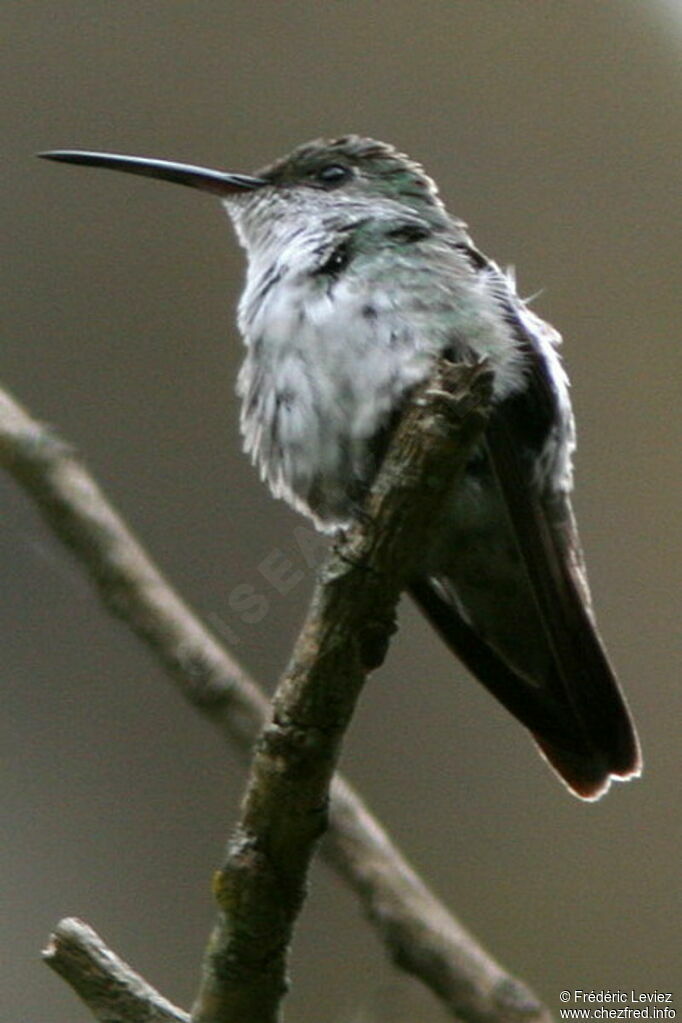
[216,183]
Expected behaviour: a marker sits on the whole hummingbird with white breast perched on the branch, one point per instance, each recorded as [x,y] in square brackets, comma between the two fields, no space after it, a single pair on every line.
[358,279]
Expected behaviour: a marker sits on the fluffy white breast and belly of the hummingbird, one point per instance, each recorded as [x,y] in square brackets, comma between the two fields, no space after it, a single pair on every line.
[330,360]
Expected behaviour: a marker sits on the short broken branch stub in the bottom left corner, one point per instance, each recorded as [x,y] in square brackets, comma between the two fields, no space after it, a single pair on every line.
[113,992]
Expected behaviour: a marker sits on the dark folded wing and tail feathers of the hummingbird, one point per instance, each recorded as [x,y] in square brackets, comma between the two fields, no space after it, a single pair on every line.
[578,716]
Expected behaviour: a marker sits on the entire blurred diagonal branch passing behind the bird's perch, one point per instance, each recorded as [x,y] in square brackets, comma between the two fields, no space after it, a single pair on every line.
[420,933]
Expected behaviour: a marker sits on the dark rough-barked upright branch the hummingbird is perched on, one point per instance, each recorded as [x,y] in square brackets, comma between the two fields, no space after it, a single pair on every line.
[261,887]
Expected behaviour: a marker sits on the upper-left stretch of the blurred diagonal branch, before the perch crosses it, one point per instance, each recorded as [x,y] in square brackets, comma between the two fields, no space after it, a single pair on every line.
[128,582]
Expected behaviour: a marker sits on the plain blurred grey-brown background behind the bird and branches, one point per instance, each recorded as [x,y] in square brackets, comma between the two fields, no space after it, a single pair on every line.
[554,129]
